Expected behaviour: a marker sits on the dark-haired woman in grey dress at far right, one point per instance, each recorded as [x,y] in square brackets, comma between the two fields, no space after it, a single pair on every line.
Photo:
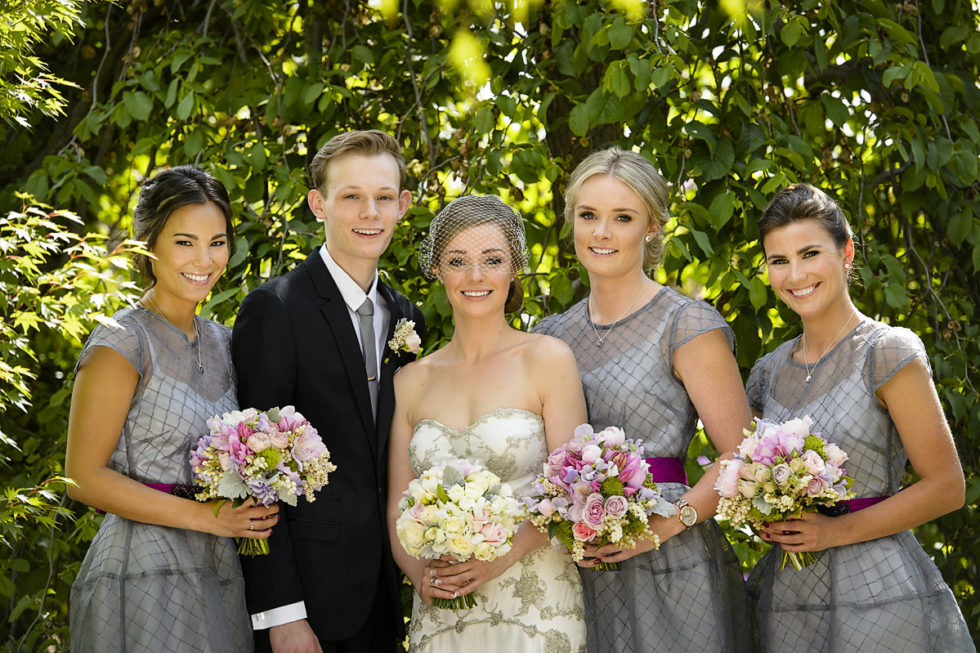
[868,388]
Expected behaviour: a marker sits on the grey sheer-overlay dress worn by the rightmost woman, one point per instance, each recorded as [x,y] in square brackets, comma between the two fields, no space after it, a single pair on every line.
[881,595]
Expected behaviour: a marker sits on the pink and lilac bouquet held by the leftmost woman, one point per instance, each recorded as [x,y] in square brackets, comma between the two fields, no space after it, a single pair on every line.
[271,456]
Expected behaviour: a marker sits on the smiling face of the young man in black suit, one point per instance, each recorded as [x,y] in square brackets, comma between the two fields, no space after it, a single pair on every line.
[359,207]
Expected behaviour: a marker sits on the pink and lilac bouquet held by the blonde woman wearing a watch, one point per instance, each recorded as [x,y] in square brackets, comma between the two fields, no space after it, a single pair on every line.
[596,489]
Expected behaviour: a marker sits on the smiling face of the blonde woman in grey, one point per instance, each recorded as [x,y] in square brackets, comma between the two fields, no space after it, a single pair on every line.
[610,224]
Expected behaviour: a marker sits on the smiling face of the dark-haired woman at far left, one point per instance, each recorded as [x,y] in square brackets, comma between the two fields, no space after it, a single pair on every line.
[191,253]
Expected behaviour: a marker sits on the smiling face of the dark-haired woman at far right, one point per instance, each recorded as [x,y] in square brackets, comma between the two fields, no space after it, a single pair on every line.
[806,268]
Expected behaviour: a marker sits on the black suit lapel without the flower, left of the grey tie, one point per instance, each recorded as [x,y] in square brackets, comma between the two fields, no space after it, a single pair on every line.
[337,317]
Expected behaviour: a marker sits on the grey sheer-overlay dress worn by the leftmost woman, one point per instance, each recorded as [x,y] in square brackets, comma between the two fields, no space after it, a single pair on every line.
[152,588]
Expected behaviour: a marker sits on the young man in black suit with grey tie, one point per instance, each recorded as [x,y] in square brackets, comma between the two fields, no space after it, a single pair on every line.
[316,338]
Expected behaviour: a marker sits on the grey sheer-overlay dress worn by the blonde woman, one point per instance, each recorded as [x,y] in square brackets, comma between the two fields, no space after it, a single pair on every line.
[689,594]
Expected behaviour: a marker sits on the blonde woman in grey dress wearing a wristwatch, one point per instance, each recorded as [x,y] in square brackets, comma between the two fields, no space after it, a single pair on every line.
[653,362]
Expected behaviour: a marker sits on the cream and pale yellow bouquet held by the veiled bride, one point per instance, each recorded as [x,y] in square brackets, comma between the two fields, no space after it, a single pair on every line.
[457,509]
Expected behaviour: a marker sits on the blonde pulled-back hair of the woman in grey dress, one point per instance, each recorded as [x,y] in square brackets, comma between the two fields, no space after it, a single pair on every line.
[643,179]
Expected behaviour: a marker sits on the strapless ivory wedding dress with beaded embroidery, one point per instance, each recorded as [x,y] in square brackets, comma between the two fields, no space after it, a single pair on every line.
[536,605]
